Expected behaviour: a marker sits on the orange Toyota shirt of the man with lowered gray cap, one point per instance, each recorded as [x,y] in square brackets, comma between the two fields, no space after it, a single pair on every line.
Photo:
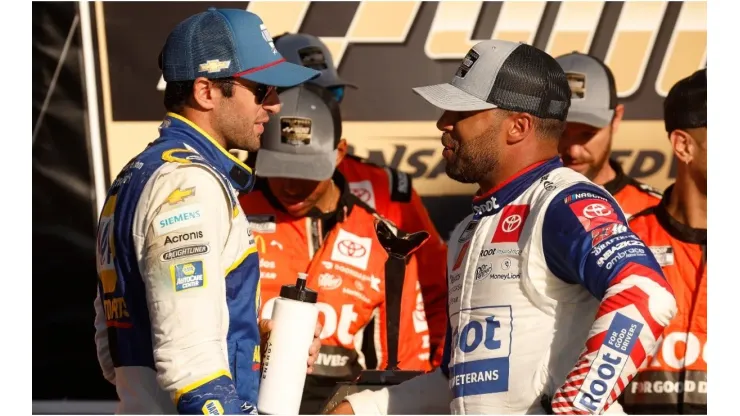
[346,265]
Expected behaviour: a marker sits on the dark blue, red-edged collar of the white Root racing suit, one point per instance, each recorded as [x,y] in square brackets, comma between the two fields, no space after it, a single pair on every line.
[494,200]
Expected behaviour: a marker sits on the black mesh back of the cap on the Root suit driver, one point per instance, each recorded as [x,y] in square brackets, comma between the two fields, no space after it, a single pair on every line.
[532,81]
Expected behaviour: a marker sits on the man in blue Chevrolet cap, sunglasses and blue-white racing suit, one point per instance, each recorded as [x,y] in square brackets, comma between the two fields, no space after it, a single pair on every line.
[178,290]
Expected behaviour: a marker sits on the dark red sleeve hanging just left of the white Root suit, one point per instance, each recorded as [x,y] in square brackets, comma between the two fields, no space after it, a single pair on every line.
[432,265]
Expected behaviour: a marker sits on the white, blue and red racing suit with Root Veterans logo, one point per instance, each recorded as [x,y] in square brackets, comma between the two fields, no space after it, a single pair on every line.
[550,294]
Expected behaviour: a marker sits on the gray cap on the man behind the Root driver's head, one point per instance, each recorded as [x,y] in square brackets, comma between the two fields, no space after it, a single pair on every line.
[594,92]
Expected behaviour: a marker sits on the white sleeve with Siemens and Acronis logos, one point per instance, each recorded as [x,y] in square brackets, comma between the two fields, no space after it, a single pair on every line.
[186,297]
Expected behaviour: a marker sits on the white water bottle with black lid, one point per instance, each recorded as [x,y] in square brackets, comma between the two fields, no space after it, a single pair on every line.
[294,319]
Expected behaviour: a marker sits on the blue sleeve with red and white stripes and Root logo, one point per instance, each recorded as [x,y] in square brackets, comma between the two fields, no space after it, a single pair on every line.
[586,241]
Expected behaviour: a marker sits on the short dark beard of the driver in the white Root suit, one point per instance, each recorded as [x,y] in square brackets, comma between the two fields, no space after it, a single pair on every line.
[475,160]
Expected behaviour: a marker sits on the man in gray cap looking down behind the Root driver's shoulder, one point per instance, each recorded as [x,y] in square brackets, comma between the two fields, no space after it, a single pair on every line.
[593,120]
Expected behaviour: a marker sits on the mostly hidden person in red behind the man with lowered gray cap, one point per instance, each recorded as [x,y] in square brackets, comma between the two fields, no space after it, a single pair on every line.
[389,191]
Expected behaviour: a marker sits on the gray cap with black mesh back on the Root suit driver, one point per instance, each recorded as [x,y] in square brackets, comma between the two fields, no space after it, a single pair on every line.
[507,75]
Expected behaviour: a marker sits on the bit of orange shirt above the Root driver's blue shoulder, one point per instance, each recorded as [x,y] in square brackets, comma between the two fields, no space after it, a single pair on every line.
[633,196]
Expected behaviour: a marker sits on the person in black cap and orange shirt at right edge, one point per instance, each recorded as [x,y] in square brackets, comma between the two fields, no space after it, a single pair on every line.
[675,381]
